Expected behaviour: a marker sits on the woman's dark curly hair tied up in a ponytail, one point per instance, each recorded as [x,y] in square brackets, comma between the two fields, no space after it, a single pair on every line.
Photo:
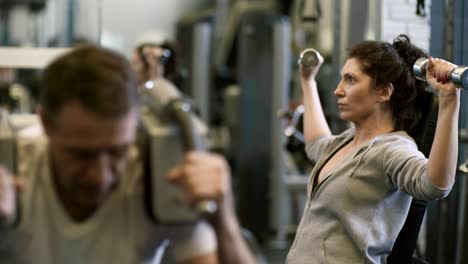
[393,63]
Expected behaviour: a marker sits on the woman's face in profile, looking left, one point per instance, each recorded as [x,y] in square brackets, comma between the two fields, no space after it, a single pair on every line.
[357,97]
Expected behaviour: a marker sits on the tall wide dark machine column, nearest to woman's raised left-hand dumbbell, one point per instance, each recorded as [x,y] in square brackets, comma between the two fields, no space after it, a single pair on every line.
[263,72]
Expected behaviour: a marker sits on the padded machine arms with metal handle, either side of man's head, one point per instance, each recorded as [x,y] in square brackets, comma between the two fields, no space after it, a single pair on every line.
[169,128]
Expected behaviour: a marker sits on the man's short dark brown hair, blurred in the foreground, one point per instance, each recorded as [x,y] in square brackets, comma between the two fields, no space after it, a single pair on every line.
[99,79]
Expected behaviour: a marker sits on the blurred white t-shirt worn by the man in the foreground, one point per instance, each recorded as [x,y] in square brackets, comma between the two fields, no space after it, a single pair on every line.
[119,232]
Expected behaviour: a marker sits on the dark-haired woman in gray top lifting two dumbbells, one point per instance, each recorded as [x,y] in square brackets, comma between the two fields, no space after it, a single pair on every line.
[360,189]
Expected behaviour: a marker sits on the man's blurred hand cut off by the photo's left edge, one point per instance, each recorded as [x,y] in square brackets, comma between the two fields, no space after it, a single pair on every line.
[9,186]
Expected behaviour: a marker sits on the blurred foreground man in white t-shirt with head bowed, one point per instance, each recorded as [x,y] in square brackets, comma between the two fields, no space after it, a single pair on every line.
[82,201]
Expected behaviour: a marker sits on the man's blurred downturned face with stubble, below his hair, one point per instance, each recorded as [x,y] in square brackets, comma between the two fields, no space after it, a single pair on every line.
[88,154]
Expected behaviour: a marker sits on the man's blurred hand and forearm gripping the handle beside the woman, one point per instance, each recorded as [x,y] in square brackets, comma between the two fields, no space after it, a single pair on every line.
[207,176]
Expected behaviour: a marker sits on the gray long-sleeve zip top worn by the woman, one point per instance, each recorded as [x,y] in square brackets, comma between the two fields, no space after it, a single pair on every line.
[356,212]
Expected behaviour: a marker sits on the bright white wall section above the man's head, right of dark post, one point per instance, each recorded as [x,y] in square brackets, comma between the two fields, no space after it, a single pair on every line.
[124,21]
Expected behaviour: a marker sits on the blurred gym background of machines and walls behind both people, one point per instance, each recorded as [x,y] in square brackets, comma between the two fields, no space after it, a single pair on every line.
[237,60]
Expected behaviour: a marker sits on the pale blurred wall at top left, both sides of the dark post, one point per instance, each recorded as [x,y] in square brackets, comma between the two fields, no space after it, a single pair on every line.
[123,21]
